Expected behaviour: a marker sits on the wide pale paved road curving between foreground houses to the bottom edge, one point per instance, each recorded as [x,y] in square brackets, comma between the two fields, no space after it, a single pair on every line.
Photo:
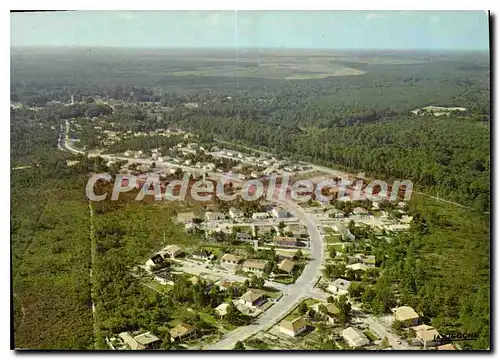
[302,288]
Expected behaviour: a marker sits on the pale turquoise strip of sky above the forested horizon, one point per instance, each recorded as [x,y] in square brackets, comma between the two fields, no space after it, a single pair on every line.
[409,30]
